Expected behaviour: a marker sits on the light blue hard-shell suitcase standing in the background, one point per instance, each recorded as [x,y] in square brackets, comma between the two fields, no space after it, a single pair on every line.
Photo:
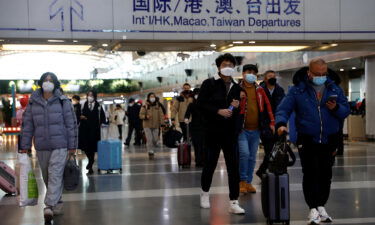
[109,155]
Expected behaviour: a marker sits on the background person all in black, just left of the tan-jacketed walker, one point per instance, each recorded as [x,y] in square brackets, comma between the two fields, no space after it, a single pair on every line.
[134,122]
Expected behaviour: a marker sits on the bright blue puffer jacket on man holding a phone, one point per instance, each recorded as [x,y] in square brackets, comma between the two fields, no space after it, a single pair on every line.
[313,119]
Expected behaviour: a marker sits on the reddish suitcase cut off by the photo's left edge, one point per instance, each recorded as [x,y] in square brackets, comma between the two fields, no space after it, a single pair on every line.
[7,179]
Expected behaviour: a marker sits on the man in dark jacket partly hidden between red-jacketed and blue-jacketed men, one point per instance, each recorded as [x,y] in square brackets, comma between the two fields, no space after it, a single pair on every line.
[275,94]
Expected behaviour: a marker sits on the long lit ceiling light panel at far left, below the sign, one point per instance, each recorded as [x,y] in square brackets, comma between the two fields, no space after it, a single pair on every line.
[24,47]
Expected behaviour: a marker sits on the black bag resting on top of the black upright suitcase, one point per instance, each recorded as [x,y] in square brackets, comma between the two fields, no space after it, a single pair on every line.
[279,157]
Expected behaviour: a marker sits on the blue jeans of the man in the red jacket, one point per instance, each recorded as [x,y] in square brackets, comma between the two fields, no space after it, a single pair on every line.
[248,142]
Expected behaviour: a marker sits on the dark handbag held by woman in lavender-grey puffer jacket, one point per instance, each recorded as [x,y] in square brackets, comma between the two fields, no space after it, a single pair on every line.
[71,174]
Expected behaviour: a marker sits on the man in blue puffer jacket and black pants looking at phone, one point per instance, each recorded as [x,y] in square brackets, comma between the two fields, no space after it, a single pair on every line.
[319,105]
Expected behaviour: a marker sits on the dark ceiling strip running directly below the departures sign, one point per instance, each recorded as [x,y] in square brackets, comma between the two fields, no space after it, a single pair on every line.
[203,45]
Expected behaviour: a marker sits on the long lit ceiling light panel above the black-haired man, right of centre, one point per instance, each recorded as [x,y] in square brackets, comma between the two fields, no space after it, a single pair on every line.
[264,48]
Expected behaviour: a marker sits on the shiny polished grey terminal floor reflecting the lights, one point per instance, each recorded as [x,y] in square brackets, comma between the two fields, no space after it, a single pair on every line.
[157,192]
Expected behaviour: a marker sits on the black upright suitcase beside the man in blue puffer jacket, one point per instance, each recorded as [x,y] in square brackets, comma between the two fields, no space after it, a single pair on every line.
[275,198]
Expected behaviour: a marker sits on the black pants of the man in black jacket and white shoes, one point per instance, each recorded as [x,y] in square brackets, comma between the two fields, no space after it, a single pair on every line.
[215,142]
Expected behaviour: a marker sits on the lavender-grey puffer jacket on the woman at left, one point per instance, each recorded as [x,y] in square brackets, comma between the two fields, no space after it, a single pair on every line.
[50,123]
